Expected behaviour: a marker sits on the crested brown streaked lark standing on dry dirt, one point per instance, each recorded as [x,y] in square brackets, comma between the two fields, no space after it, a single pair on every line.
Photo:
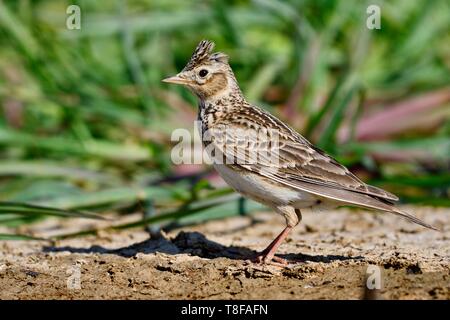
[243,139]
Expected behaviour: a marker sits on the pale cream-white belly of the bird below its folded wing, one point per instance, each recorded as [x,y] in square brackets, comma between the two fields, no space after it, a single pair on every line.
[263,190]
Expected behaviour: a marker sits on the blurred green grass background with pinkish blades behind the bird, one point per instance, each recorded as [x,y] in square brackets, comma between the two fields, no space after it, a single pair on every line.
[86,120]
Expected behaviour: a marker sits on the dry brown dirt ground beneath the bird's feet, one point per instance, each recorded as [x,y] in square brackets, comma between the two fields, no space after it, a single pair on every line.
[329,254]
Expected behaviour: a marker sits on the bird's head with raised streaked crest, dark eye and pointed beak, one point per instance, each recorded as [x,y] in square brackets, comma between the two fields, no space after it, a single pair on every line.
[207,74]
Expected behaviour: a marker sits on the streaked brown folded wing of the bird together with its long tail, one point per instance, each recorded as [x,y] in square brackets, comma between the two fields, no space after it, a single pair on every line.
[286,157]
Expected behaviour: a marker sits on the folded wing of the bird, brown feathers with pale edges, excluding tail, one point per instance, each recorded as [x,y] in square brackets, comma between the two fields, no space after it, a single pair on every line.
[296,158]
